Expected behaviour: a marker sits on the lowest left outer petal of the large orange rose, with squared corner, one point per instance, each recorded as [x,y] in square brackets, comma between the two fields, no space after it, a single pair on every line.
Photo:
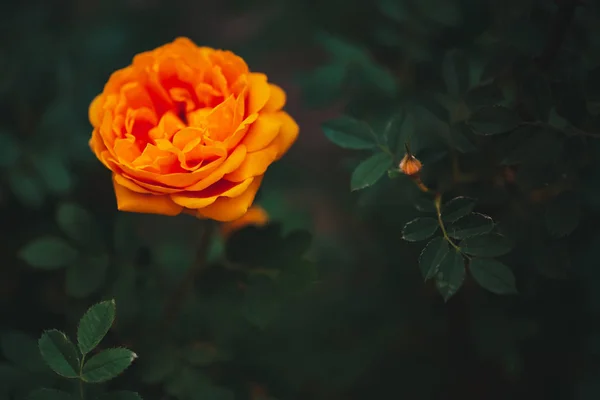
[128,200]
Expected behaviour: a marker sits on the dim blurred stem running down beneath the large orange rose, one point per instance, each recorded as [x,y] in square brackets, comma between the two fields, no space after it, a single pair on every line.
[180,294]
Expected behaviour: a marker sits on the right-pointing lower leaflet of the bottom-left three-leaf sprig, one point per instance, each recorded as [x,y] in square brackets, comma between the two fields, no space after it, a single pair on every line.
[107,365]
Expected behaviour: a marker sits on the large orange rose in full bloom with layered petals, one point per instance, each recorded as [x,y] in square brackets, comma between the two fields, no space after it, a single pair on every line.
[189,129]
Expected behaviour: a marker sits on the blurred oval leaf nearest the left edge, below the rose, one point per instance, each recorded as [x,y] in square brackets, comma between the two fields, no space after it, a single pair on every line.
[48,252]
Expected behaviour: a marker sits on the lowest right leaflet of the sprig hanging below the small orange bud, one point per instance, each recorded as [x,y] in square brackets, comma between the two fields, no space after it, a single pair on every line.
[492,275]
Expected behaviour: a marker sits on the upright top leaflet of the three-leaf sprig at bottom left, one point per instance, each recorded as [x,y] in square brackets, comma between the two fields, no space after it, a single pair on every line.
[94,325]
